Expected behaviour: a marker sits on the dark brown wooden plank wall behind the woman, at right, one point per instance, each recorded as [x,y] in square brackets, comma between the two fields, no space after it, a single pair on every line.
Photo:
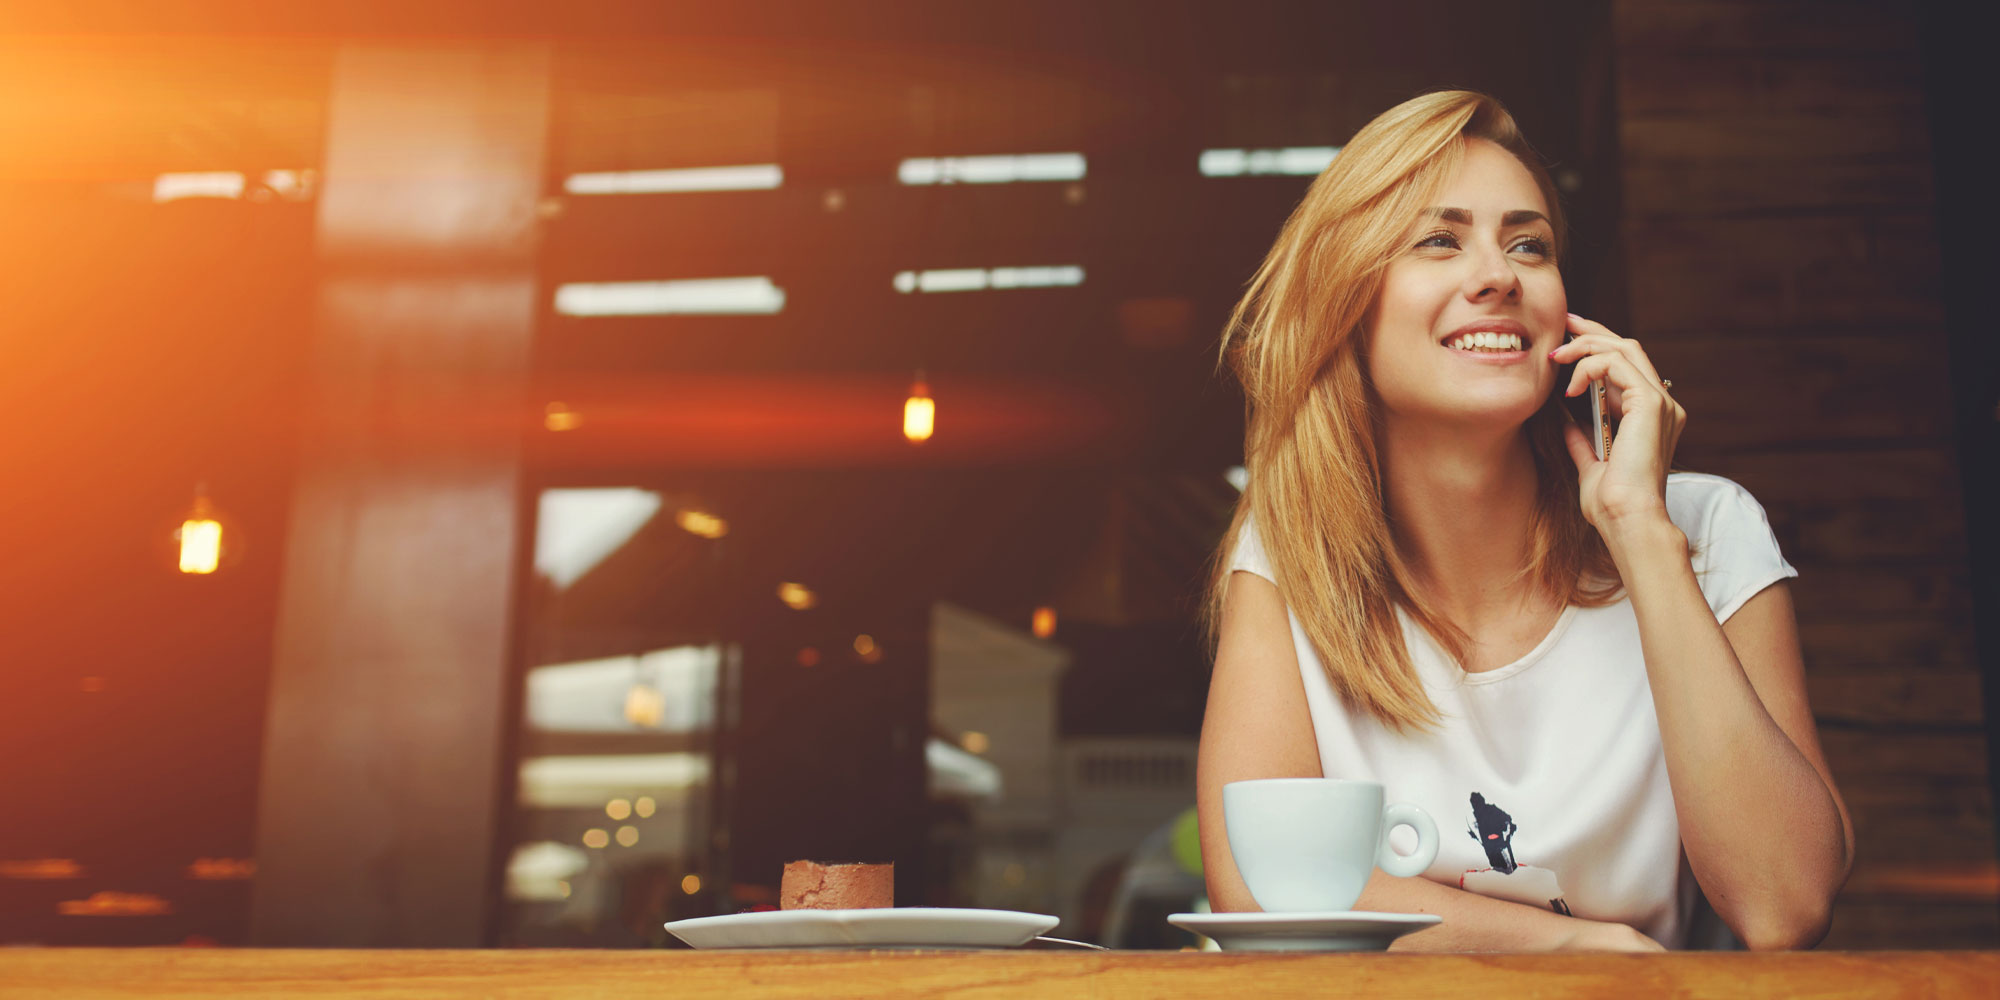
[1785,271]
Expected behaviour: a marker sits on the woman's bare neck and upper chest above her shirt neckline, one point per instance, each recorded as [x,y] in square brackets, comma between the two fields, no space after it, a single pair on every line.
[1459,507]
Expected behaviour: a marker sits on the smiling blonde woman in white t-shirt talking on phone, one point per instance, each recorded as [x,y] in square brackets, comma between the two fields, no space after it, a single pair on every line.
[1433,581]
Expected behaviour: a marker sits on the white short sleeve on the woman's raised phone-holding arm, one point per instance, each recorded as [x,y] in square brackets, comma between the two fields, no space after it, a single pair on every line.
[1735,551]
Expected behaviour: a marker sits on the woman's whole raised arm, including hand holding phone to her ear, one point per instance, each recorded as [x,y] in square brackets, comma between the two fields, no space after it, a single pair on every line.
[1763,825]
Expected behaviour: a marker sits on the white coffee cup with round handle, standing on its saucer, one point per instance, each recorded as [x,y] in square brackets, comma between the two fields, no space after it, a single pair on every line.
[1309,845]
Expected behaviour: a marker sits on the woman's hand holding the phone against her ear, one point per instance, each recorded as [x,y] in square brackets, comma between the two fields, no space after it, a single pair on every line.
[1631,487]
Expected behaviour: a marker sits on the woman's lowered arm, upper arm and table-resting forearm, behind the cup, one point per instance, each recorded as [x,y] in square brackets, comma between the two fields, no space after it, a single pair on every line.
[1259,727]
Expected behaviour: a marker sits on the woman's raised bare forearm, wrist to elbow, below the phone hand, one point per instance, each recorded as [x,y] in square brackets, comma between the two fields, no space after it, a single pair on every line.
[1757,819]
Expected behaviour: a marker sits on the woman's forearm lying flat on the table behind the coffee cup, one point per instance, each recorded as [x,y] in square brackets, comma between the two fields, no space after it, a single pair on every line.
[1473,923]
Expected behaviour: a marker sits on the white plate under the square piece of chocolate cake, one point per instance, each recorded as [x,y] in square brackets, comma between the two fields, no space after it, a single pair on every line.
[889,927]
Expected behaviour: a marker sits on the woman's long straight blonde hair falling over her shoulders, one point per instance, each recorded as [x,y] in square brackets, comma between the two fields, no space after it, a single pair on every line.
[1295,341]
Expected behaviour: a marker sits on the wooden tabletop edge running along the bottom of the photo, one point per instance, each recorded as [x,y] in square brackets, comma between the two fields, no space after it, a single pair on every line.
[167,973]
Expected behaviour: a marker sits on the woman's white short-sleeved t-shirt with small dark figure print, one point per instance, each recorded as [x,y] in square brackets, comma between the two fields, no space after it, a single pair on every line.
[1547,777]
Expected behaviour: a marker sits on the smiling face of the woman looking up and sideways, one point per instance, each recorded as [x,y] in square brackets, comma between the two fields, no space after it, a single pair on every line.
[1473,307]
